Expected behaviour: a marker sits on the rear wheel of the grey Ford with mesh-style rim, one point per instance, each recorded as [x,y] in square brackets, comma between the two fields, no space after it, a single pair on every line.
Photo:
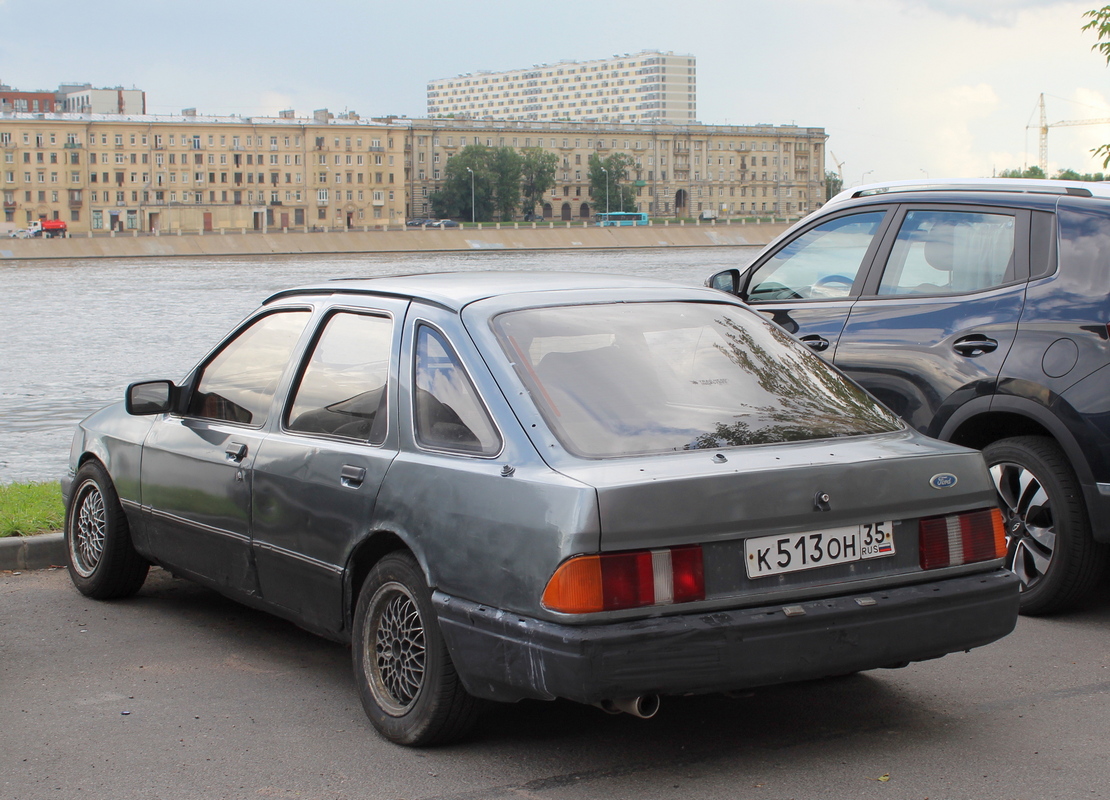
[409,686]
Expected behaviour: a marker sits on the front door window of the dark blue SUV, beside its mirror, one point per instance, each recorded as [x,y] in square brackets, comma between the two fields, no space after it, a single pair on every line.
[820,265]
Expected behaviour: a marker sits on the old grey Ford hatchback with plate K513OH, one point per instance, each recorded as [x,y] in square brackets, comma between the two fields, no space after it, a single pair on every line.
[536,485]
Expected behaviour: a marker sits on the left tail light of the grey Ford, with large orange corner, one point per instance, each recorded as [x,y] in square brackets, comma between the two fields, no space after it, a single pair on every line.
[614,581]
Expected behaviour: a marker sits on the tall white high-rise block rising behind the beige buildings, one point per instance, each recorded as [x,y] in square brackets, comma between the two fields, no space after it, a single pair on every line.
[645,87]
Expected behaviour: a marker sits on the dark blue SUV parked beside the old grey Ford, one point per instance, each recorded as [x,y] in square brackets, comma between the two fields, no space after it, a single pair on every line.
[978,311]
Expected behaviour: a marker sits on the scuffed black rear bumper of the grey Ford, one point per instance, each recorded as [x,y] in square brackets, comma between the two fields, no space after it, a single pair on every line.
[508,657]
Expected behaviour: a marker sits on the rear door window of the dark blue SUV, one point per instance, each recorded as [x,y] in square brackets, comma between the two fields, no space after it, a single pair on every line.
[951,252]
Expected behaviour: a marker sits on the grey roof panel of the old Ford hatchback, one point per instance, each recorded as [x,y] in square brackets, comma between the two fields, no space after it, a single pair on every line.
[456,290]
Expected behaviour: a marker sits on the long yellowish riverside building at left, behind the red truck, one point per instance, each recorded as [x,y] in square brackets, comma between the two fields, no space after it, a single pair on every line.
[120,173]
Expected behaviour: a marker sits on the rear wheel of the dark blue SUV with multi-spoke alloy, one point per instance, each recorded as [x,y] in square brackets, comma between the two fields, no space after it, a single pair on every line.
[1048,533]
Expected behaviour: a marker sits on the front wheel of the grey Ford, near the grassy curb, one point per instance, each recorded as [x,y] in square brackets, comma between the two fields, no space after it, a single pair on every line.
[102,558]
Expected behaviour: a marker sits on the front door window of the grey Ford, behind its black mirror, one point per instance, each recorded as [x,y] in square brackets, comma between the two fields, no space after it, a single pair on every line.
[239,384]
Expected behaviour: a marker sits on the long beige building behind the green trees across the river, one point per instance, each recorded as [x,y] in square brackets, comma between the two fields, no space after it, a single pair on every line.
[679,170]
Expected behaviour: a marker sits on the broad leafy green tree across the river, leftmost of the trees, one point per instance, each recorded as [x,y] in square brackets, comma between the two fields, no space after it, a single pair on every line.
[489,176]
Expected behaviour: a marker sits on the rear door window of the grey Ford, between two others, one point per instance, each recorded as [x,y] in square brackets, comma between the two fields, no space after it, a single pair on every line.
[344,388]
